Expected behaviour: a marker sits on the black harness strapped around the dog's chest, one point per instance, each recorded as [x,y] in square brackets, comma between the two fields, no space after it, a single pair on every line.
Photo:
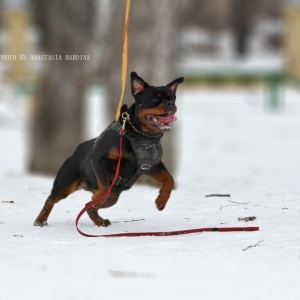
[147,151]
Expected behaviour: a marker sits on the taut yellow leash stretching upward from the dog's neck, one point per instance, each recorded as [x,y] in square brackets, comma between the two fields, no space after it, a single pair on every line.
[124,57]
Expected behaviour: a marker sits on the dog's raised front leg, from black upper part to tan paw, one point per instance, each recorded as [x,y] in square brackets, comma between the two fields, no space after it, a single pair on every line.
[161,174]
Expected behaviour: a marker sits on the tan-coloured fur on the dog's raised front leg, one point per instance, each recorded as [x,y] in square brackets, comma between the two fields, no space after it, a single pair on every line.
[167,182]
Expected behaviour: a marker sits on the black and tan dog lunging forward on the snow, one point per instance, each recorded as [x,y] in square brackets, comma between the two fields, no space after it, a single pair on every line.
[93,164]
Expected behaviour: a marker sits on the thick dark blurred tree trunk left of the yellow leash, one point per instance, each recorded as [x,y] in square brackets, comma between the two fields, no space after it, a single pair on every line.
[57,119]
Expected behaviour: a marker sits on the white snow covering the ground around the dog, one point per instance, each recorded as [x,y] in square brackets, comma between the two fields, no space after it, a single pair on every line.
[229,143]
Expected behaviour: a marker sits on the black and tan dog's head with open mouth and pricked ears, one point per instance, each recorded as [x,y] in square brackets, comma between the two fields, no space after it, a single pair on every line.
[155,107]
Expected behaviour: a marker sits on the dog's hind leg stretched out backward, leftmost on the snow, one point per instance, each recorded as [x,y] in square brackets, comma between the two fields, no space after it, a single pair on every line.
[67,181]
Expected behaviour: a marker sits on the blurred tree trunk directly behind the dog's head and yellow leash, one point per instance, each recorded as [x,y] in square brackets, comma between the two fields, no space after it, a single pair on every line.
[152,52]
